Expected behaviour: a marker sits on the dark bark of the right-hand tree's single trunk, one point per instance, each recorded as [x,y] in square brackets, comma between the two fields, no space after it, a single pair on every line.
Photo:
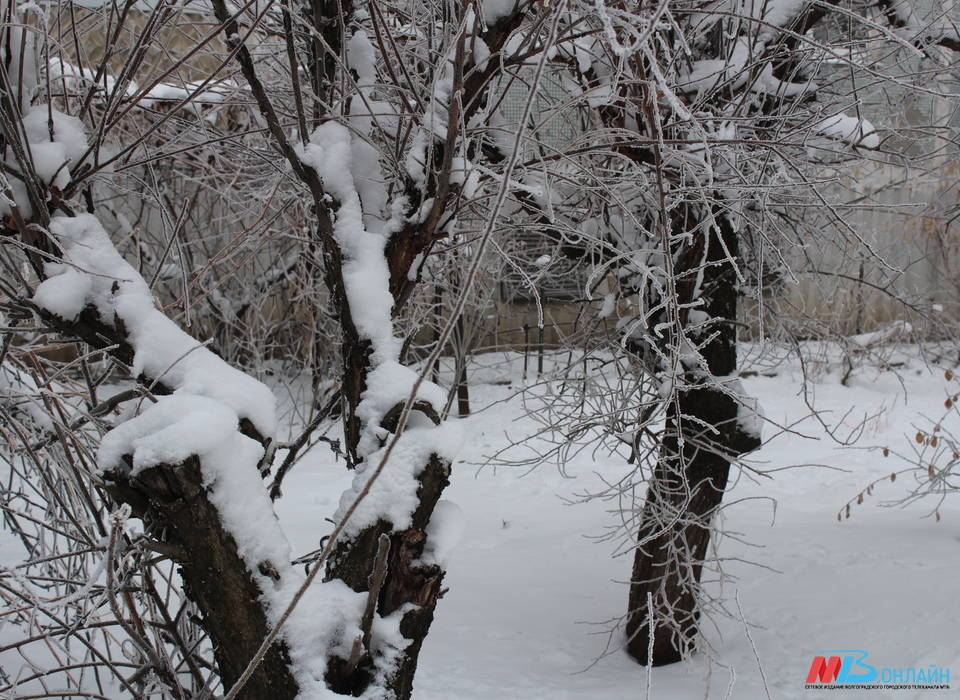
[688,483]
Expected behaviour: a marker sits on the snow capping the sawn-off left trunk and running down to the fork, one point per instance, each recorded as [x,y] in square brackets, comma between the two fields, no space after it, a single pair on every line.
[182,426]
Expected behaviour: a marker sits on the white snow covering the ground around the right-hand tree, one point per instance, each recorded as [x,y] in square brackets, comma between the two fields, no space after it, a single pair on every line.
[531,590]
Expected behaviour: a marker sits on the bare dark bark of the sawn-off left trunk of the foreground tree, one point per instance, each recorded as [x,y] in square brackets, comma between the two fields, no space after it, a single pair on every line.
[173,504]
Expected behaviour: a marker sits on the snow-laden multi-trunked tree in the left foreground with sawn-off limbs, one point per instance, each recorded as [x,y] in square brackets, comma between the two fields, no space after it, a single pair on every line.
[371,115]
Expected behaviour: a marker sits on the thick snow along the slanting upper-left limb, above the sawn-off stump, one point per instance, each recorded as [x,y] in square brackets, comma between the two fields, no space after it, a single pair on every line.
[93,274]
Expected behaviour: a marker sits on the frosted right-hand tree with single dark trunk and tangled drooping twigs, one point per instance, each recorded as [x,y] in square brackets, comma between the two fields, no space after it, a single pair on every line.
[708,159]
